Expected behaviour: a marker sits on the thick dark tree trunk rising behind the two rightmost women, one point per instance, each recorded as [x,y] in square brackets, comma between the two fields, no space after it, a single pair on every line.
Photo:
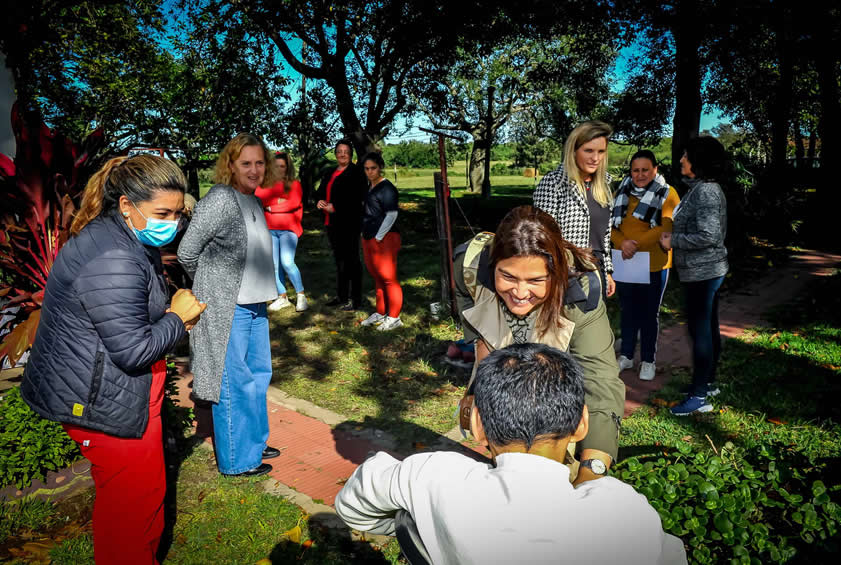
[686,31]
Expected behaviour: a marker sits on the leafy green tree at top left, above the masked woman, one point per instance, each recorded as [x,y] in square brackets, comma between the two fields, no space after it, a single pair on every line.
[144,76]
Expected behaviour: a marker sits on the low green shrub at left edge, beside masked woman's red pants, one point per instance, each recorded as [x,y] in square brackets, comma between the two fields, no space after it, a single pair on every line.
[30,445]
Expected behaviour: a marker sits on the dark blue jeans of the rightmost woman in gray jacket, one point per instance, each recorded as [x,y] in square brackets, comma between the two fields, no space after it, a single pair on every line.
[702,311]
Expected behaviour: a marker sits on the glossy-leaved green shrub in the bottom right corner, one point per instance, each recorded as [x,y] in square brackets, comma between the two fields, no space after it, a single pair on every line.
[763,506]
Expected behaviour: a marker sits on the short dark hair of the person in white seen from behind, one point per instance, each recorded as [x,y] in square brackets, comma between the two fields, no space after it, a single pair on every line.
[528,391]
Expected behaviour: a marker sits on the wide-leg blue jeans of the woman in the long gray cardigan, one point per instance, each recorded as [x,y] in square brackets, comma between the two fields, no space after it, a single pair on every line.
[240,418]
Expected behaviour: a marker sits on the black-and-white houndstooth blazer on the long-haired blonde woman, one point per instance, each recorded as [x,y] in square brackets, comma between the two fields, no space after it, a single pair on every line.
[557,195]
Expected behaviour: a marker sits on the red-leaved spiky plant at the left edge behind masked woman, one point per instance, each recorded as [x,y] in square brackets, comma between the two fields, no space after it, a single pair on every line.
[39,192]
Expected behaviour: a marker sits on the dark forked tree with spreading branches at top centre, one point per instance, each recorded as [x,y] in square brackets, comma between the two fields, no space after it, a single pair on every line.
[370,53]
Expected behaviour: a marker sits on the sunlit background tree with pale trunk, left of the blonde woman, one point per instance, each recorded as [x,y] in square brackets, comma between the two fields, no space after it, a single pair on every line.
[565,75]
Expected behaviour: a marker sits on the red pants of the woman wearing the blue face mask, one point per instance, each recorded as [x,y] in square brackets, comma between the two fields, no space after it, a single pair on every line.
[130,480]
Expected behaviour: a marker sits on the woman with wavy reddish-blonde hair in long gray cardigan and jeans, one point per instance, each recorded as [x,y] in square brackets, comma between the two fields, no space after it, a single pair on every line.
[228,251]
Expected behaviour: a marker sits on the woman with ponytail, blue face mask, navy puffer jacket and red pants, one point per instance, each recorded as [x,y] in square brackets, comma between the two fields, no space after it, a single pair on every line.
[97,363]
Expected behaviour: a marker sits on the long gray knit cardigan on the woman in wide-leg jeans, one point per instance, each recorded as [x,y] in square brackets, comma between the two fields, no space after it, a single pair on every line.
[213,252]
